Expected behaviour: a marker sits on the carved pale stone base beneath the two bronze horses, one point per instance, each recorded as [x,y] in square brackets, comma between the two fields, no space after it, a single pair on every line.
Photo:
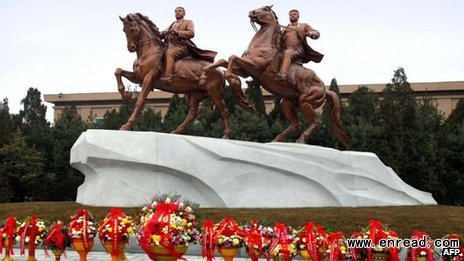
[127,169]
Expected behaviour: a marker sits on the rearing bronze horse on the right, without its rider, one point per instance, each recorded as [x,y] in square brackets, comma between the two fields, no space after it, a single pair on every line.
[303,91]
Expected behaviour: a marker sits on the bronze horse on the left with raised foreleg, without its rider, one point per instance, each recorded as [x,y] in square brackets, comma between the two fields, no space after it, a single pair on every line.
[143,37]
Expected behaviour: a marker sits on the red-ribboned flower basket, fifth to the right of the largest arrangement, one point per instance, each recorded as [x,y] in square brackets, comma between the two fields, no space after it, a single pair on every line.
[311,242]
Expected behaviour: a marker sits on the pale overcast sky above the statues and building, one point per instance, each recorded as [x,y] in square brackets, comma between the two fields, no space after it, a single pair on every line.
[74,46]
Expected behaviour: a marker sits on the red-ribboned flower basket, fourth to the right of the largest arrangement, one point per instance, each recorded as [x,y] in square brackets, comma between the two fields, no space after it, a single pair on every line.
[282,246]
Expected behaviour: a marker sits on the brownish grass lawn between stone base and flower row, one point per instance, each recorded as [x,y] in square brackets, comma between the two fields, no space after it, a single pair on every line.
[436,220]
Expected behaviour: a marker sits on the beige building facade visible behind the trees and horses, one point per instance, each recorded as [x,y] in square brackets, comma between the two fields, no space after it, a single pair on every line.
[94,105]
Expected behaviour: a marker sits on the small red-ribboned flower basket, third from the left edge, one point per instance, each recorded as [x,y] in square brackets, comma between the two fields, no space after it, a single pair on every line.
[57,240]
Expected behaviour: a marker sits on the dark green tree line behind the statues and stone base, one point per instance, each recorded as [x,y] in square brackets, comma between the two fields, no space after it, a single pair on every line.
[411,136]
